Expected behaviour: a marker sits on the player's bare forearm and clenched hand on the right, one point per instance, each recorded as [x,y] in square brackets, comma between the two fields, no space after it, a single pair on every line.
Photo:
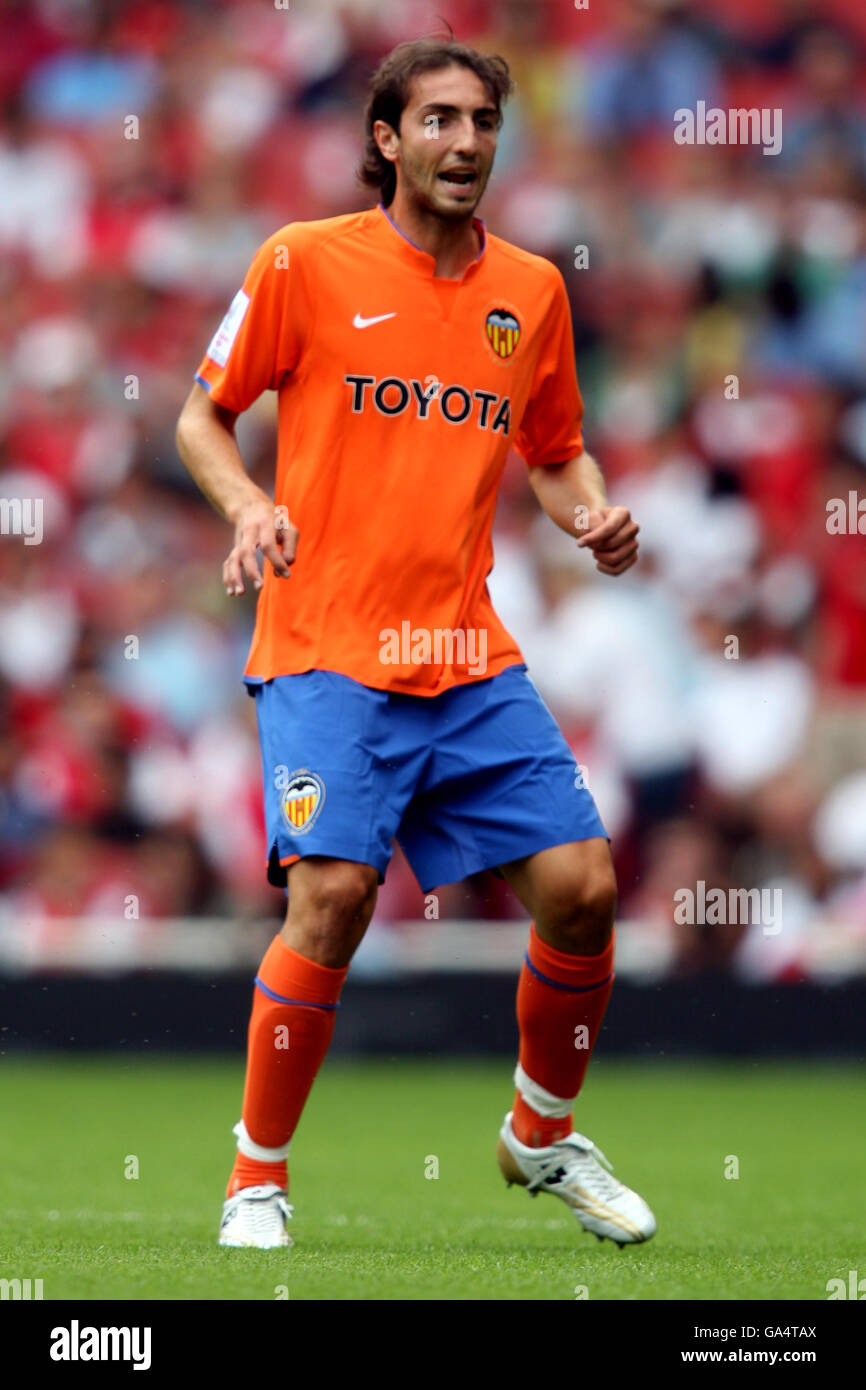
[573,496]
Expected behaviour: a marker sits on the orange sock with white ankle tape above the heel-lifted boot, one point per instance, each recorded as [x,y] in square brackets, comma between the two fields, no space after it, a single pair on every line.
[561,1006]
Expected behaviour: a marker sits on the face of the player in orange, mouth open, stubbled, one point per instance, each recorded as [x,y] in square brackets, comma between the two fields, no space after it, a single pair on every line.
[447,142]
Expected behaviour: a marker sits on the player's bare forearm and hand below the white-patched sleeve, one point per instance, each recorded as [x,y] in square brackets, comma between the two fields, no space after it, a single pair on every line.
[209,450]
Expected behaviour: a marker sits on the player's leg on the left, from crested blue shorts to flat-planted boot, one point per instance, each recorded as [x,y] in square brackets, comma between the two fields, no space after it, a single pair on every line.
[338,769]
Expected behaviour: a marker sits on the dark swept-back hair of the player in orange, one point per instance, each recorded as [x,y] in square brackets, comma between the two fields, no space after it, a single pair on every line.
[390,95]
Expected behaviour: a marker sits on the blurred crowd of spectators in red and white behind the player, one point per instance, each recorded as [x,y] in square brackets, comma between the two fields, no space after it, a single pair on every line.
[715,697]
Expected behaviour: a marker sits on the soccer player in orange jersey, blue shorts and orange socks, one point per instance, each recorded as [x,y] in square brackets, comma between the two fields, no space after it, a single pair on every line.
[411,351]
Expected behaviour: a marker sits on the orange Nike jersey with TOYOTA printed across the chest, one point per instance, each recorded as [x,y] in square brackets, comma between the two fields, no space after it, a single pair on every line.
[400,397]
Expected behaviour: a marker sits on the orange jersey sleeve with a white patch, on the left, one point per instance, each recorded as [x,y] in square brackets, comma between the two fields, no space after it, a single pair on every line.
[262,333]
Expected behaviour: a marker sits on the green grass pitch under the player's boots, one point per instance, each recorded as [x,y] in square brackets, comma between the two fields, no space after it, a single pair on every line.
[369,1224]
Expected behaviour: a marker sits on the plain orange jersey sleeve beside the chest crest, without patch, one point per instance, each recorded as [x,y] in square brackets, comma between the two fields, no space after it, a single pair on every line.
[551,430]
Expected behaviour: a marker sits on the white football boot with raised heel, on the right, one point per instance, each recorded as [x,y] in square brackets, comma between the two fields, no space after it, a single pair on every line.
[573,1170]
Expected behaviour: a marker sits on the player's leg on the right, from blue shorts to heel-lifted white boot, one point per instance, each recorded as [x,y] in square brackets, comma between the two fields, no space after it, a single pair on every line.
[503,793]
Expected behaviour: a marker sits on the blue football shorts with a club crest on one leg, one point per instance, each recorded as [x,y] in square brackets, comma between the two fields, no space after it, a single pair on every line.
[466,780]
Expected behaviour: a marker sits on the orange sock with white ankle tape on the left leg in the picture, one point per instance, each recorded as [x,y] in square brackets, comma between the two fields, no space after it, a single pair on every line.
[294,1013]
